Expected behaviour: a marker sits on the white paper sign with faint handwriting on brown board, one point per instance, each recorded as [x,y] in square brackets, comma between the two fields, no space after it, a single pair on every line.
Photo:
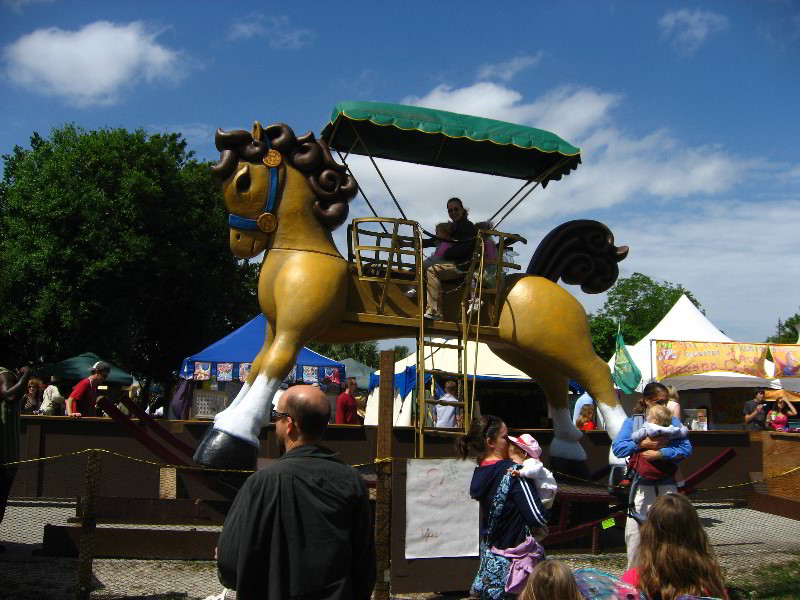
[441,518]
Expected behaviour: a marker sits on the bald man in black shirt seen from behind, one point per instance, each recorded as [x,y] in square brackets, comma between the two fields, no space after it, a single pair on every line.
[302,527]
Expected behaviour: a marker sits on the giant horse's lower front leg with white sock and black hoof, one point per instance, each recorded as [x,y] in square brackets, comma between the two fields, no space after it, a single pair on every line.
[233,441]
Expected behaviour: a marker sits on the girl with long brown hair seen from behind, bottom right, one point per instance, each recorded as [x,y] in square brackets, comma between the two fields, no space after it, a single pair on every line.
[674,556]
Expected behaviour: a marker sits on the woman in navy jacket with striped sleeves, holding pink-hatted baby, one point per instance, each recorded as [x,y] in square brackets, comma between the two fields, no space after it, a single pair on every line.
[511,510]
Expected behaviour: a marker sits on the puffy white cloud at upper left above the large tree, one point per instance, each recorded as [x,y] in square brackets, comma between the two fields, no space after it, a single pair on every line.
[93,65]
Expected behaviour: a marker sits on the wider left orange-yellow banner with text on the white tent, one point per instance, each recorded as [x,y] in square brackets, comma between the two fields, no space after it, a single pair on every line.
[678,358]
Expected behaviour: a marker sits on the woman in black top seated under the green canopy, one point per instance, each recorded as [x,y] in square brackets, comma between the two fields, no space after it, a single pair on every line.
[455,259]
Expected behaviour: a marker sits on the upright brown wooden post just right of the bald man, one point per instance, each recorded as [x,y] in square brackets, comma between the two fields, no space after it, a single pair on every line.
[383,491]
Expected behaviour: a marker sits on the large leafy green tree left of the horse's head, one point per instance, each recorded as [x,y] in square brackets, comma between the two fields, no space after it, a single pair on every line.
[116,242]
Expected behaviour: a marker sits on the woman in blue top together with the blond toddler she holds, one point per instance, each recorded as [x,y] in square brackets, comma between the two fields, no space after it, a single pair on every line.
[655,451]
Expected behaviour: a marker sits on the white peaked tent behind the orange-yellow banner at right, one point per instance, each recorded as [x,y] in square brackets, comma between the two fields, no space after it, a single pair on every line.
[684,322]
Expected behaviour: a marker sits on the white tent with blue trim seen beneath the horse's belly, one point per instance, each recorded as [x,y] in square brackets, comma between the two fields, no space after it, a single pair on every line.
[445,359]
